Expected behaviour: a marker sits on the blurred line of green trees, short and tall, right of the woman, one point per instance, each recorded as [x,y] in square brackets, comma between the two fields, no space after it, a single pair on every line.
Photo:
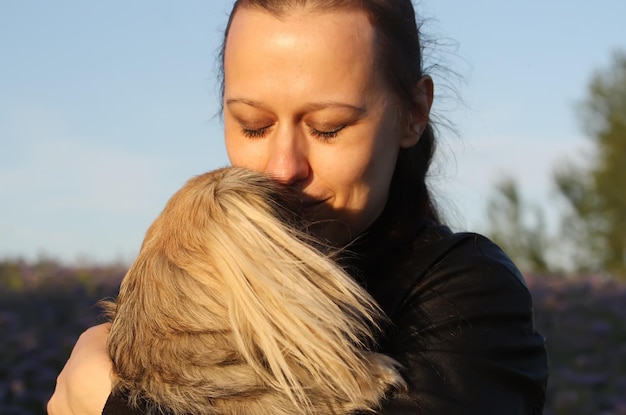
[591,237]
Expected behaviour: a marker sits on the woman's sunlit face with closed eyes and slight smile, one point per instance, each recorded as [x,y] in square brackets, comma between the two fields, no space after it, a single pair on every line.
[305,102]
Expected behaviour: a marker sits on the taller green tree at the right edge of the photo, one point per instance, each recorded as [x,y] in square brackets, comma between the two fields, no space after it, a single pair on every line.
[596,193]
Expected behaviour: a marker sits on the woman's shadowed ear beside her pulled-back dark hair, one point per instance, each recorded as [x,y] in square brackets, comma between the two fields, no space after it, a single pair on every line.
[419,114]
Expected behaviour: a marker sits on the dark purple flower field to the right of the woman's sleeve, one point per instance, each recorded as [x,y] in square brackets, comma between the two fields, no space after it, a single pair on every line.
[583,322]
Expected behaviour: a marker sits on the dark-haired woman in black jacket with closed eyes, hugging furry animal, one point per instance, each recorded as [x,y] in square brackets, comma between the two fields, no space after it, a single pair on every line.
[329,97]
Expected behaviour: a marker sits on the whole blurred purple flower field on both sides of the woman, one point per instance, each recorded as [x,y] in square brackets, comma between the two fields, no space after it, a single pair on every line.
[45,306]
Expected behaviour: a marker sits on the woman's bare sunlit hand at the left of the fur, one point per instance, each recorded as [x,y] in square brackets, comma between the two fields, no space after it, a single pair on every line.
[84,384]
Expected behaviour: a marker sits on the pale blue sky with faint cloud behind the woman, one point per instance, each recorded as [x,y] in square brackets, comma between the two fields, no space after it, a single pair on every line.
[106,108]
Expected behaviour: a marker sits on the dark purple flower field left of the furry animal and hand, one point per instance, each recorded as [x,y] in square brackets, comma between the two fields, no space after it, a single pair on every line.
[43,309]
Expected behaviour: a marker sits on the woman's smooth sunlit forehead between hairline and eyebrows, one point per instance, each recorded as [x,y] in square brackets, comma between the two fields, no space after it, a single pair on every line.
[331,45]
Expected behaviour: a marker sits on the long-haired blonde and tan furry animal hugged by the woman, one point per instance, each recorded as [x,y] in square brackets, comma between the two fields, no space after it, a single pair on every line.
[229,309]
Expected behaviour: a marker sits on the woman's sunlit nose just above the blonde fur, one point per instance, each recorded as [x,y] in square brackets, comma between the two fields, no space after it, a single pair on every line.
[288,162]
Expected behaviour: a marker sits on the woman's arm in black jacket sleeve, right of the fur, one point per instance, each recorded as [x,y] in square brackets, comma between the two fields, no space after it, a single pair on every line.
[466,336]
